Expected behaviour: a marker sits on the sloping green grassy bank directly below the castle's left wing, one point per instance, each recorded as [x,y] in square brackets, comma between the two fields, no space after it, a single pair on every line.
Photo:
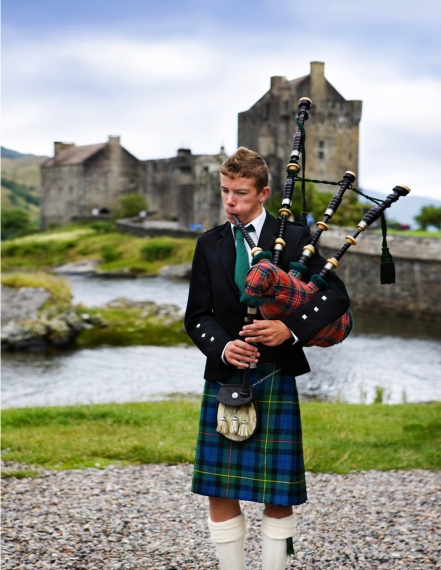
[99,241]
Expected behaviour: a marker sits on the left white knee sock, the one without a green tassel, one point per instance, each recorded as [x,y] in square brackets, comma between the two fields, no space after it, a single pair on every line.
[229,539]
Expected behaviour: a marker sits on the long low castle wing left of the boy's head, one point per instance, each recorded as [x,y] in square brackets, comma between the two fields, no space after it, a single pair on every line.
[82,179]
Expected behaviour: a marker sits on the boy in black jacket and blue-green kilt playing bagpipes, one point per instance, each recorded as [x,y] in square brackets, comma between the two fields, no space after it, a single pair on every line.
[268,467]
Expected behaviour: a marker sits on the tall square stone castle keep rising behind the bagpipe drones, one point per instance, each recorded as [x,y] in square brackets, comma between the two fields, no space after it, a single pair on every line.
[332,129]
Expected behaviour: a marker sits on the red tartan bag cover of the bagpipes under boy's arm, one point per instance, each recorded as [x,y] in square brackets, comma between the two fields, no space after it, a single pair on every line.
[284,293]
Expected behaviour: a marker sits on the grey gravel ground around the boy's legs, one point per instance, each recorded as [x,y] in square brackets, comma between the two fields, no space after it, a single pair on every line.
[145,518]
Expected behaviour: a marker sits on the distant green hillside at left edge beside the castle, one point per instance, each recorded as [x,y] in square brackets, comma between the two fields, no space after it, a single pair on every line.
[21,181]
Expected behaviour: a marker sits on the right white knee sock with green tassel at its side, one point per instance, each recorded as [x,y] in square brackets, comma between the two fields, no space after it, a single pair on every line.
[274,535]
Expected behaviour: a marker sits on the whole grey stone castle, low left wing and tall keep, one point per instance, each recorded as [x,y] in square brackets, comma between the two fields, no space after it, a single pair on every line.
[80,179]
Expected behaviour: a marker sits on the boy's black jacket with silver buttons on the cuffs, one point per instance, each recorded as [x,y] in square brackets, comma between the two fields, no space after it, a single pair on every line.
[214,314]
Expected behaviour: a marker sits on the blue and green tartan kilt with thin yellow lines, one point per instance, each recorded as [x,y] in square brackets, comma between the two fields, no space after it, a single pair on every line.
[266,468]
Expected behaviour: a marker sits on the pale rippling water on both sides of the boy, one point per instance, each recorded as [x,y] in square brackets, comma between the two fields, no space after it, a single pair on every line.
[401,357]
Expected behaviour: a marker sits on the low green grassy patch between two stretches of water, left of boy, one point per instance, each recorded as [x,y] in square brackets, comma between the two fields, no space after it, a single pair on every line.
[126,327]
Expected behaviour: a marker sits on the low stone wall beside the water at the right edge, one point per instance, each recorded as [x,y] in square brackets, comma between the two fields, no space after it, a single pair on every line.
[417,291]
